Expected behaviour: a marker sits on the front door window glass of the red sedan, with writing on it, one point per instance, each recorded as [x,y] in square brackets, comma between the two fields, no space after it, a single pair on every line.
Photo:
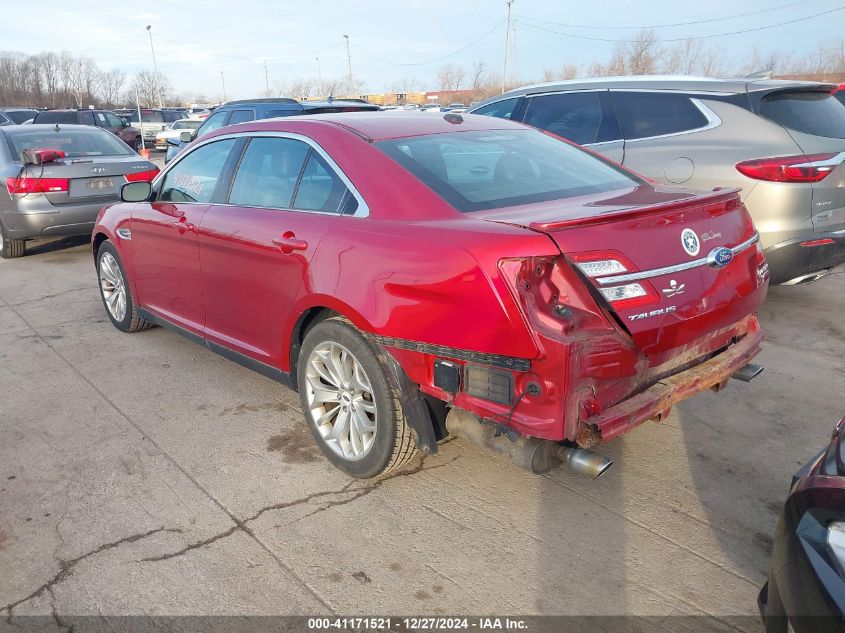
[194,178]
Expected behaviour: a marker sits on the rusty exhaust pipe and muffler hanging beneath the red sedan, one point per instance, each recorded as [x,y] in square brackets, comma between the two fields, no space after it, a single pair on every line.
[530,453]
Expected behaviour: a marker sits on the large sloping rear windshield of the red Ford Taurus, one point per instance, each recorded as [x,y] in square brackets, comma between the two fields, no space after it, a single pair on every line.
[494,169]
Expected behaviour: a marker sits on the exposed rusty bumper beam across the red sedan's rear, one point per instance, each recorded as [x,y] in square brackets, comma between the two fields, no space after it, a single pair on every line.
[655,402]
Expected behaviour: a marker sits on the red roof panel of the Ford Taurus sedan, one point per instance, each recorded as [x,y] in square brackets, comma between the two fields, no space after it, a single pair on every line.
[379,126]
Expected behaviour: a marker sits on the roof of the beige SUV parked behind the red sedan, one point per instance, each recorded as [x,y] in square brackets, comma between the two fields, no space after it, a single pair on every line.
[662,82]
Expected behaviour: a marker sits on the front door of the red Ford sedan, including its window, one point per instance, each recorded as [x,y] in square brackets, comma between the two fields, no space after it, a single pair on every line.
[165,250]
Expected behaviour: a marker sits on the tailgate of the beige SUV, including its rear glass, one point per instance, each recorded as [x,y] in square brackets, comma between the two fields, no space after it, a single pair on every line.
[816,120]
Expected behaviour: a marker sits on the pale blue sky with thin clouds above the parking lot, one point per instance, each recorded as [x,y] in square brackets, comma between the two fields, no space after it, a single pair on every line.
[194,41]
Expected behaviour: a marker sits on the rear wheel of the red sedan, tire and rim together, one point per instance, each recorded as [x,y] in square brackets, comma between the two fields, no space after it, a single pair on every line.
[351,409]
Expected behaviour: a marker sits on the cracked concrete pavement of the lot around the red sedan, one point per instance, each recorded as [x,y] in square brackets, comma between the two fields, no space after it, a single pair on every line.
[142,474]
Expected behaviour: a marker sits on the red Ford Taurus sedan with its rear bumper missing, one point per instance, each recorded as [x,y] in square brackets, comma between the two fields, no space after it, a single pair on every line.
[393,268]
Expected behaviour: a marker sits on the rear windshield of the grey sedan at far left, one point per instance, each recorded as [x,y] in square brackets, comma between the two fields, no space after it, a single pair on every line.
[73,142]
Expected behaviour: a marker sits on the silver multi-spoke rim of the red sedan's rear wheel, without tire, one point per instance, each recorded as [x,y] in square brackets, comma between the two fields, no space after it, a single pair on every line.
[340,400]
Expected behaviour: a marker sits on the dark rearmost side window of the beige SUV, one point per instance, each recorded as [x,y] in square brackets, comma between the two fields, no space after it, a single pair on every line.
[647,114]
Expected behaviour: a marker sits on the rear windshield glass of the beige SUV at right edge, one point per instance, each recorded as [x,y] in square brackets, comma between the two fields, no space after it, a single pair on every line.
[818,113]
